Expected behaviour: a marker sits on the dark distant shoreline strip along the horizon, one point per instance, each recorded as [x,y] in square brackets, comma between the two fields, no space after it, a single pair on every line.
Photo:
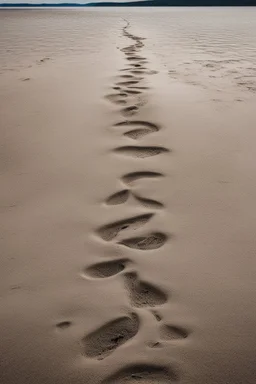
[146,3]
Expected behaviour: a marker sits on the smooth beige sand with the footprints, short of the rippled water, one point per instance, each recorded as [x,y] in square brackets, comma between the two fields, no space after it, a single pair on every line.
[127,225]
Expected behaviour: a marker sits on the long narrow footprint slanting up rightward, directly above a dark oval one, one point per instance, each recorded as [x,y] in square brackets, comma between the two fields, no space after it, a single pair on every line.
[110,231]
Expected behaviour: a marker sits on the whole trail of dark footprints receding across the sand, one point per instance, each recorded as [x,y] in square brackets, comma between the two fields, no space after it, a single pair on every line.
[102,342]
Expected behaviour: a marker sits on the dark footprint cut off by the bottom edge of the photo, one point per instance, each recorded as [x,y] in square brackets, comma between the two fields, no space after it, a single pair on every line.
[143,374]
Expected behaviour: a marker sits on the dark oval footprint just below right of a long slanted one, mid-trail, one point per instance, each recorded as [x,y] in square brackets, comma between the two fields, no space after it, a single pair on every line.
[153,240]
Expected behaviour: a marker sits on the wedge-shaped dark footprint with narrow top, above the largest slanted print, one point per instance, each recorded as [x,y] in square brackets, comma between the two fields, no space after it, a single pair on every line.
[143,294]
